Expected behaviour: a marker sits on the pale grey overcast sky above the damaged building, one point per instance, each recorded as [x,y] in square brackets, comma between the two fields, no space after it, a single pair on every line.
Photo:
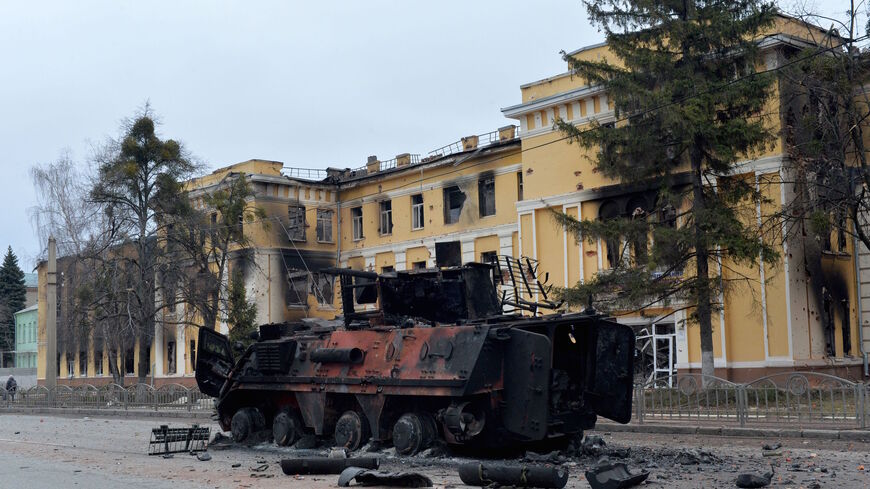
[312,84]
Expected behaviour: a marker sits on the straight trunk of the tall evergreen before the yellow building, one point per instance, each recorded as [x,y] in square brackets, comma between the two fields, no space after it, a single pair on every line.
[702,268]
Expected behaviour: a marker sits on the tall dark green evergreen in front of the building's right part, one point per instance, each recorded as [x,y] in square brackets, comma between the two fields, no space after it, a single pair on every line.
[689,103]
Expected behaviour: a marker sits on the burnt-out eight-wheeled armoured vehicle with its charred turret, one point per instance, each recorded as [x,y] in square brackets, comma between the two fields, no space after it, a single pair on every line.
[426,354]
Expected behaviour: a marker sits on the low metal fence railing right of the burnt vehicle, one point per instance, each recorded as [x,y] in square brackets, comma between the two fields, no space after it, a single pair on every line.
[799,399]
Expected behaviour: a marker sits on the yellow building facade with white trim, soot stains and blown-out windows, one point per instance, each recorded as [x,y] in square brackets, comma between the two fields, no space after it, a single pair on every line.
[494,194]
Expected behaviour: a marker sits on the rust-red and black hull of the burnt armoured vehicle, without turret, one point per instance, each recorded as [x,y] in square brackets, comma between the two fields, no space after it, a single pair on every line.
[503,379]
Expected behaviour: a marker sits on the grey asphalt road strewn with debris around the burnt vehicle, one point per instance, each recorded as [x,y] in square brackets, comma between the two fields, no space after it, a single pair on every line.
[56,452]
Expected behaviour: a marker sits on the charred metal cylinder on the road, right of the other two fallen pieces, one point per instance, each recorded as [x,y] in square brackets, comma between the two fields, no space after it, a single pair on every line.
[484,474]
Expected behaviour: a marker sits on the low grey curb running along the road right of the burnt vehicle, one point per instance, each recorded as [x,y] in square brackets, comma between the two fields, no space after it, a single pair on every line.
[818,434]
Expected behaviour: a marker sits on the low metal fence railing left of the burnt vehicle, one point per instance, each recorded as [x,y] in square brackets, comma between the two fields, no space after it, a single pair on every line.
[170,397]
